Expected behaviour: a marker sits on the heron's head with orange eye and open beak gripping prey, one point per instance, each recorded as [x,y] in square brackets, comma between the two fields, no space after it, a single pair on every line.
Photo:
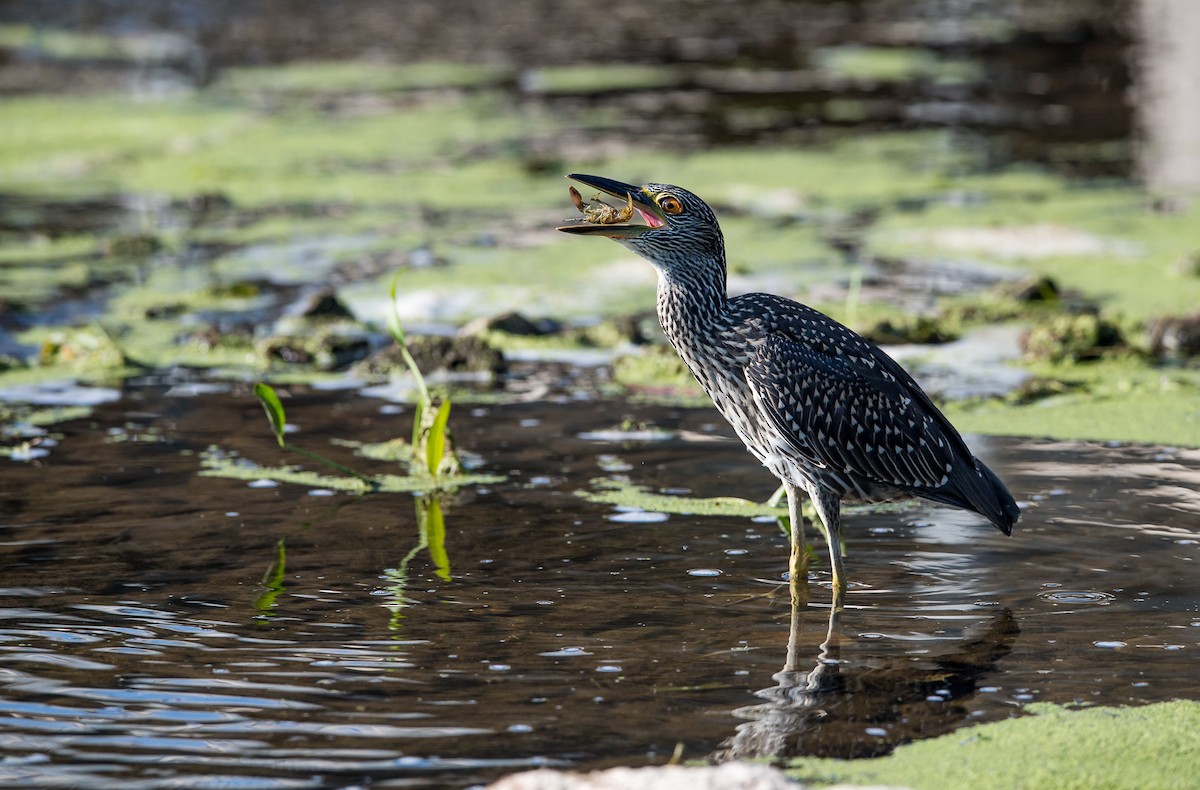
[677,230]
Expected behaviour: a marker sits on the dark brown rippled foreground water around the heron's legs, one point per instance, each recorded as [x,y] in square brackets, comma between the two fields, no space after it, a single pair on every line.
[141,647]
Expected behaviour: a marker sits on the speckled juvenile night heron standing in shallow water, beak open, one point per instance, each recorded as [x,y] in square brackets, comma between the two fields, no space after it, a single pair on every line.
[824,409]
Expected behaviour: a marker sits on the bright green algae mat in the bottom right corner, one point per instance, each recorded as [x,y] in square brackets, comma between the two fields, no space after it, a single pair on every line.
[1099,749]
